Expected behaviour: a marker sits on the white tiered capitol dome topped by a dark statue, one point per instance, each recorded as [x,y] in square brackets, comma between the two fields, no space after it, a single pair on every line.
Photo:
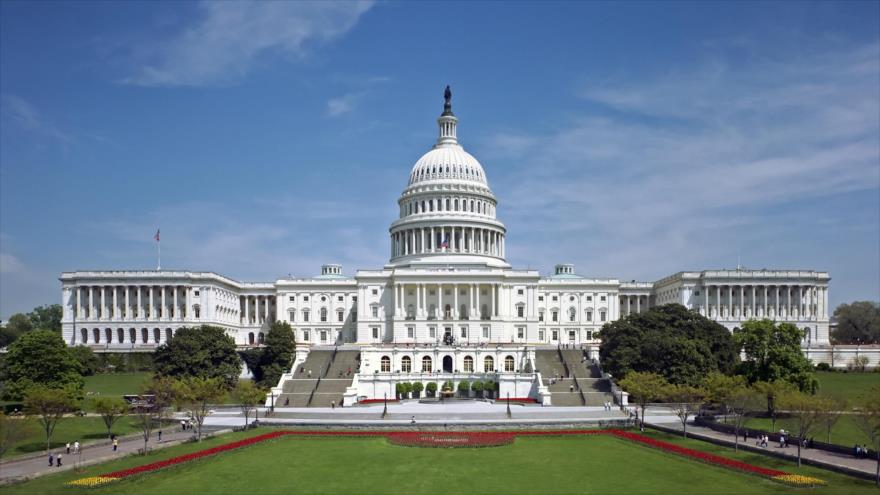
[447,211]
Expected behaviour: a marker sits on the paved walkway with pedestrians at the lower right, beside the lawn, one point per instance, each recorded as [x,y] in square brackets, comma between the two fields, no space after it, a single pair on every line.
[821,458]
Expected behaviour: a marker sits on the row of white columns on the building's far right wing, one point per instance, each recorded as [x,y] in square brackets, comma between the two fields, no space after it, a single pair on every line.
[800,302]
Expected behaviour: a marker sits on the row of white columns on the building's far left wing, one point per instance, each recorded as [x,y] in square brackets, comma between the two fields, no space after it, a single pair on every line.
[118,303]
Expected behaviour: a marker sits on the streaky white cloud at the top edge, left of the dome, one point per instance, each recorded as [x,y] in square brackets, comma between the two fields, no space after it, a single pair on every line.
[230,37]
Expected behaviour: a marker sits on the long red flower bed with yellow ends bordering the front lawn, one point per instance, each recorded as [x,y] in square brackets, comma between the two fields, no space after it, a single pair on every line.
[458,439]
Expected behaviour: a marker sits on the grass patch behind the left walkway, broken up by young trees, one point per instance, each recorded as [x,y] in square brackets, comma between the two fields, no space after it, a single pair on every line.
[69,429]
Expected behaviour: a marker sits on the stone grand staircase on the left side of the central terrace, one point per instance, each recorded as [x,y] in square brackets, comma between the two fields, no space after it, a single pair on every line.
[321,380]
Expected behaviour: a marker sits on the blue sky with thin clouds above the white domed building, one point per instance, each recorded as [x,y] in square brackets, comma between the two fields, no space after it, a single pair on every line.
[634,140]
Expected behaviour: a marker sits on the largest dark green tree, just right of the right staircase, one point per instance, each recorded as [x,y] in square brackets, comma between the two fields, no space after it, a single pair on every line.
[669,340]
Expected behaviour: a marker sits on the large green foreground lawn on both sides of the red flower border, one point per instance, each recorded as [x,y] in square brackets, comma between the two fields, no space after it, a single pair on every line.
[583,464]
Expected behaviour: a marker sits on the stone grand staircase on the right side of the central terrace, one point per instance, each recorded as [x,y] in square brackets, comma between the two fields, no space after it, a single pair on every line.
[575,381]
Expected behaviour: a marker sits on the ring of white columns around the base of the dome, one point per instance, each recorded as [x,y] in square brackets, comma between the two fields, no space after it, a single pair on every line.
[468,240]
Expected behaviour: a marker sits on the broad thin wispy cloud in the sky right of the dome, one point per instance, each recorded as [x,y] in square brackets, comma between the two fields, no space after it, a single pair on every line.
[693,162]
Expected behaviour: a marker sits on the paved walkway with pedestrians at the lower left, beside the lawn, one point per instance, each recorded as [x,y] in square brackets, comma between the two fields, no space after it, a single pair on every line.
[94,453]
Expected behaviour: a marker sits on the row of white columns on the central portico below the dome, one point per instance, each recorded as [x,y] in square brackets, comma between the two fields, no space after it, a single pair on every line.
[450,307]
